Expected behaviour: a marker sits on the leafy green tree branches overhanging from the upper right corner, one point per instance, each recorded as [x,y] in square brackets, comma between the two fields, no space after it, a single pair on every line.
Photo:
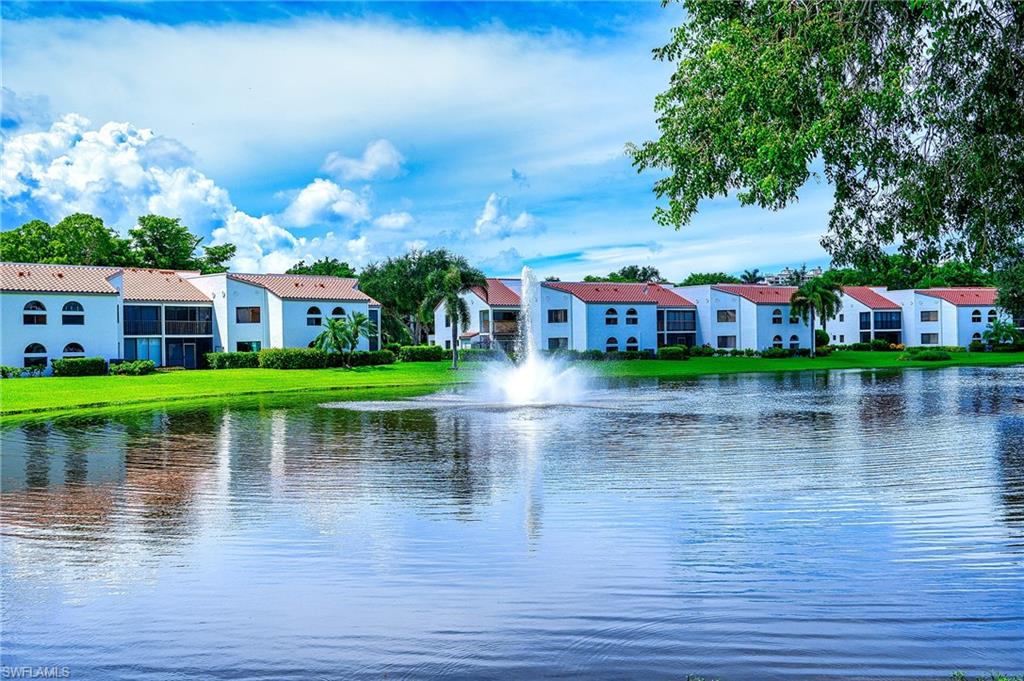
[915,110]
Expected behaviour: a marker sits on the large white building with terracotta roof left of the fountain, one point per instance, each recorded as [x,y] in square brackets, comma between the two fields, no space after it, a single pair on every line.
[173,318]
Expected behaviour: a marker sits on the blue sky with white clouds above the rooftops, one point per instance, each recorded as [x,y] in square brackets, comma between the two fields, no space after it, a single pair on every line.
[302,131]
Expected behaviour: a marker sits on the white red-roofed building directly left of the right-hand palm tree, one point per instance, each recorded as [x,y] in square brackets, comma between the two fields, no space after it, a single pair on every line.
[747,317]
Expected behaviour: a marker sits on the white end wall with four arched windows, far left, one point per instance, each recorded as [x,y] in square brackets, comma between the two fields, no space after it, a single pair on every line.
[100,336]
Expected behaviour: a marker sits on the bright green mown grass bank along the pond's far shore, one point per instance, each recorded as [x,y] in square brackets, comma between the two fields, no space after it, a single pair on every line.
[47,396]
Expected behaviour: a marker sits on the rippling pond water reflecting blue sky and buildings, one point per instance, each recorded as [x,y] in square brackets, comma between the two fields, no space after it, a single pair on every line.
[799,526]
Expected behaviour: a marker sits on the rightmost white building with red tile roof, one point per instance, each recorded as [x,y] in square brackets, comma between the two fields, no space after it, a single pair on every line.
[948,317]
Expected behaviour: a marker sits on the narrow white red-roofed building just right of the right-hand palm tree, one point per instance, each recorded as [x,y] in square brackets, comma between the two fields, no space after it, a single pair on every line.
[866,315]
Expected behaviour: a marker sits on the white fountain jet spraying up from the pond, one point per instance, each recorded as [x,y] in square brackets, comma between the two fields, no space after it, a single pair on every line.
[534,378]
